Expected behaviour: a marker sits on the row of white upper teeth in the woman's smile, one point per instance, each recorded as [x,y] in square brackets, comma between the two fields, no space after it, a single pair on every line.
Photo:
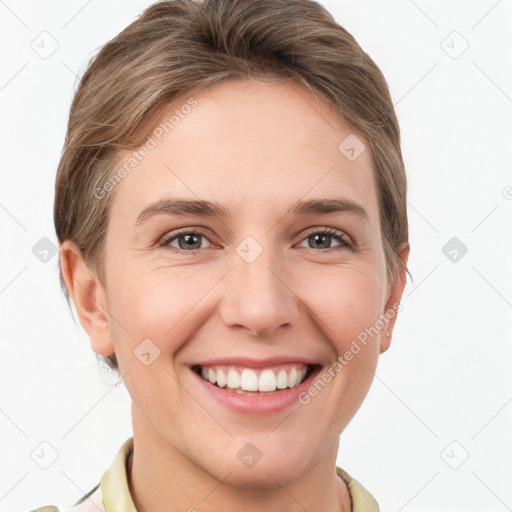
[248,379]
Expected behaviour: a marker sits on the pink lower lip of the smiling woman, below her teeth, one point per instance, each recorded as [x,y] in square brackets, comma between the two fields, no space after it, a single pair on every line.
[260,405]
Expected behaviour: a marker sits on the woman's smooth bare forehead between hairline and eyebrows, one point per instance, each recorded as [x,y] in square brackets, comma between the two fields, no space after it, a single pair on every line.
[252,145]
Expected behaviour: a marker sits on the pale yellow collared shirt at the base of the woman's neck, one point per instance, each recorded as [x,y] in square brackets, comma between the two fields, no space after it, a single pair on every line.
[112,493]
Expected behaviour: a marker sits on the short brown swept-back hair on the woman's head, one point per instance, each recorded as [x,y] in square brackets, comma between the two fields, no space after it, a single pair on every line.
[180,47]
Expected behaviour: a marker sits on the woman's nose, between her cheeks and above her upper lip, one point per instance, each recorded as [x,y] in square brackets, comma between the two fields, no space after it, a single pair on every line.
[257,298]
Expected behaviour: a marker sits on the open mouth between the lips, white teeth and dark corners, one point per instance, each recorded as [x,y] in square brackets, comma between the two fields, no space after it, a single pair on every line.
[252,381]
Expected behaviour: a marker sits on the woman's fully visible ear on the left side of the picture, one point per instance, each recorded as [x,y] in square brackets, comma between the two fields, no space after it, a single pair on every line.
[88,296]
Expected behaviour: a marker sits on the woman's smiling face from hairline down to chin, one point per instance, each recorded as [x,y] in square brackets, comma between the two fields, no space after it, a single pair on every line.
[261,289]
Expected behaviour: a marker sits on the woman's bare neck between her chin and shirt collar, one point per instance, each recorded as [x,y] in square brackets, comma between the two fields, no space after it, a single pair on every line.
[162,478]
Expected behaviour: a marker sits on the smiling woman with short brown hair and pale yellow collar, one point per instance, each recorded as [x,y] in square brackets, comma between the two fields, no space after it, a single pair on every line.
[231,211]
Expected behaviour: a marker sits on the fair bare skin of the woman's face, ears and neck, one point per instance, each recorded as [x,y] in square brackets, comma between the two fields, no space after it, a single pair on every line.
[257,148]
